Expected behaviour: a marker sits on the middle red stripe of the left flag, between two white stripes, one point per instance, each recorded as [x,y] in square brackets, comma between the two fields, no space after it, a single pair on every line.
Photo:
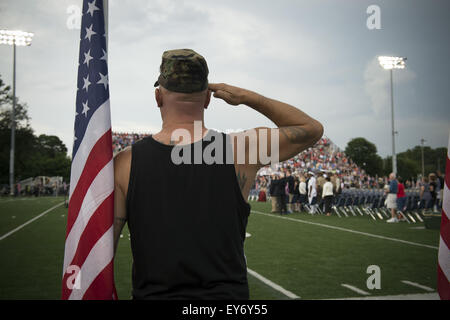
[99,223]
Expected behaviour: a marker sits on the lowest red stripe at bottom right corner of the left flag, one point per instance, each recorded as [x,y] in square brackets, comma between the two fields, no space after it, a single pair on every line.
[102,285]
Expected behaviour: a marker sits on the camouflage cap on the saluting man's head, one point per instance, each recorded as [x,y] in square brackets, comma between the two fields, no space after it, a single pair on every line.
[183,70]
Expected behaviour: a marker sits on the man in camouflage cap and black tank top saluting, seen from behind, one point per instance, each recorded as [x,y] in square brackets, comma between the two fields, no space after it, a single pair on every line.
[187,221]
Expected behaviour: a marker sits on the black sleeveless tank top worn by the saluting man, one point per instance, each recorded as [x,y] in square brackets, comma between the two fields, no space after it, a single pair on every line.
[187,225]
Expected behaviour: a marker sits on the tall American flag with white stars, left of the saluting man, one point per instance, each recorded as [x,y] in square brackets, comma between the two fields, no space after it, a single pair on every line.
[88,256]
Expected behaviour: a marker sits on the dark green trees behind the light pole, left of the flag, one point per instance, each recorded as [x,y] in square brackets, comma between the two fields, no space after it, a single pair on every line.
[35,155]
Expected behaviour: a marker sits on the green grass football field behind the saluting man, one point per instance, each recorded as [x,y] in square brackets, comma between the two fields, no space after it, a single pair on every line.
[310,256]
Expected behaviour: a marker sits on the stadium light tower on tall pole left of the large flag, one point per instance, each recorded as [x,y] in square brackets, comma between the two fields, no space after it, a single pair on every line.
[14,38]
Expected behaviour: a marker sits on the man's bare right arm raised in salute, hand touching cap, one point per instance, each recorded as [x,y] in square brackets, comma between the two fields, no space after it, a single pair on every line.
[296,130]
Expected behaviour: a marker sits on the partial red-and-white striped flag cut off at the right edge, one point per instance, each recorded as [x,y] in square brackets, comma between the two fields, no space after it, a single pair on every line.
[444,243]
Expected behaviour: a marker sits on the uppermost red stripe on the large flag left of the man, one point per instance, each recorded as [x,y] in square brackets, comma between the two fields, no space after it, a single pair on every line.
[97,159]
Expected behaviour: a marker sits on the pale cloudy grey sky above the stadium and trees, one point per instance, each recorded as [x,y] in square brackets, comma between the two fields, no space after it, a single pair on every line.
[319,56]
